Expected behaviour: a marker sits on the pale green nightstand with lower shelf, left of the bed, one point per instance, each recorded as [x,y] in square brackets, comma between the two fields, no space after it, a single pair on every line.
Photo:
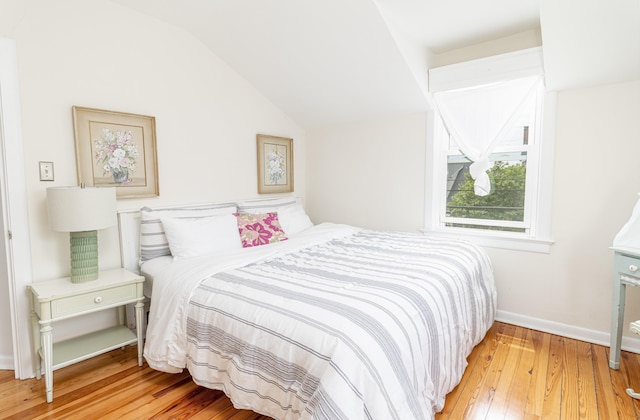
[59,299]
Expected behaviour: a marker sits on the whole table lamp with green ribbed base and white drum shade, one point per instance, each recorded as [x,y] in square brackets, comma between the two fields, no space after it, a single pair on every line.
[82,211]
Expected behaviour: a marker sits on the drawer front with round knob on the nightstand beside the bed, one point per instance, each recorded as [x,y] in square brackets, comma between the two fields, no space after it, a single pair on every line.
[92,300]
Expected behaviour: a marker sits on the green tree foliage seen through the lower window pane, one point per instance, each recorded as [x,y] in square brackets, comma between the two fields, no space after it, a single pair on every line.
[505,202]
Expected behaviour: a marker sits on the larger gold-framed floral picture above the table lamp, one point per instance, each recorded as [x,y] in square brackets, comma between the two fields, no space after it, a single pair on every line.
[116,149]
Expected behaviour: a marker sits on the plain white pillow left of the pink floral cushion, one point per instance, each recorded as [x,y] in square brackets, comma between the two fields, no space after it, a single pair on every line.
[205,235]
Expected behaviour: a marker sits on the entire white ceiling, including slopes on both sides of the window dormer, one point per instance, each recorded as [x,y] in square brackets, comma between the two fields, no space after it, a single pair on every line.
[337,61]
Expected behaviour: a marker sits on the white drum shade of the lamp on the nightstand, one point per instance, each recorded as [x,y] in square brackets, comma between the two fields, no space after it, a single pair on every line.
[76,209]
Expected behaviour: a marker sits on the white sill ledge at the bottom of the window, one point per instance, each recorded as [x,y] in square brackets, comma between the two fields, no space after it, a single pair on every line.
[502,241]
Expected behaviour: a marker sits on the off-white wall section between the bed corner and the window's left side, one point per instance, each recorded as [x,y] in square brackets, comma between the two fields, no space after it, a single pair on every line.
[369,174]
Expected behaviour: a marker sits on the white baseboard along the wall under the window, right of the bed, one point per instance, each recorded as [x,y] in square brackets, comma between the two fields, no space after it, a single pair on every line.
[631,344]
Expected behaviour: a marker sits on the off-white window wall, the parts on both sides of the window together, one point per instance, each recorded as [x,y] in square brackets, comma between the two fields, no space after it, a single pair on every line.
[372,174]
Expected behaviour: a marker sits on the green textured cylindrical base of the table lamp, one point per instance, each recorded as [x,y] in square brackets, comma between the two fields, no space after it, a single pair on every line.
[84,256]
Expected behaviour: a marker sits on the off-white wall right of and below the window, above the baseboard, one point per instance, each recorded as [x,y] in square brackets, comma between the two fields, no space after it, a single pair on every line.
[596,185]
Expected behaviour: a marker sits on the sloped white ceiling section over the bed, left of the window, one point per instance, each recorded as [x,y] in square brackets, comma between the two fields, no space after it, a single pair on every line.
[322,62]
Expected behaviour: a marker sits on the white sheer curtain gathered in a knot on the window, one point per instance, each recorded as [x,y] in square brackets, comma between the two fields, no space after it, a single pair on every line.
[478,119]
